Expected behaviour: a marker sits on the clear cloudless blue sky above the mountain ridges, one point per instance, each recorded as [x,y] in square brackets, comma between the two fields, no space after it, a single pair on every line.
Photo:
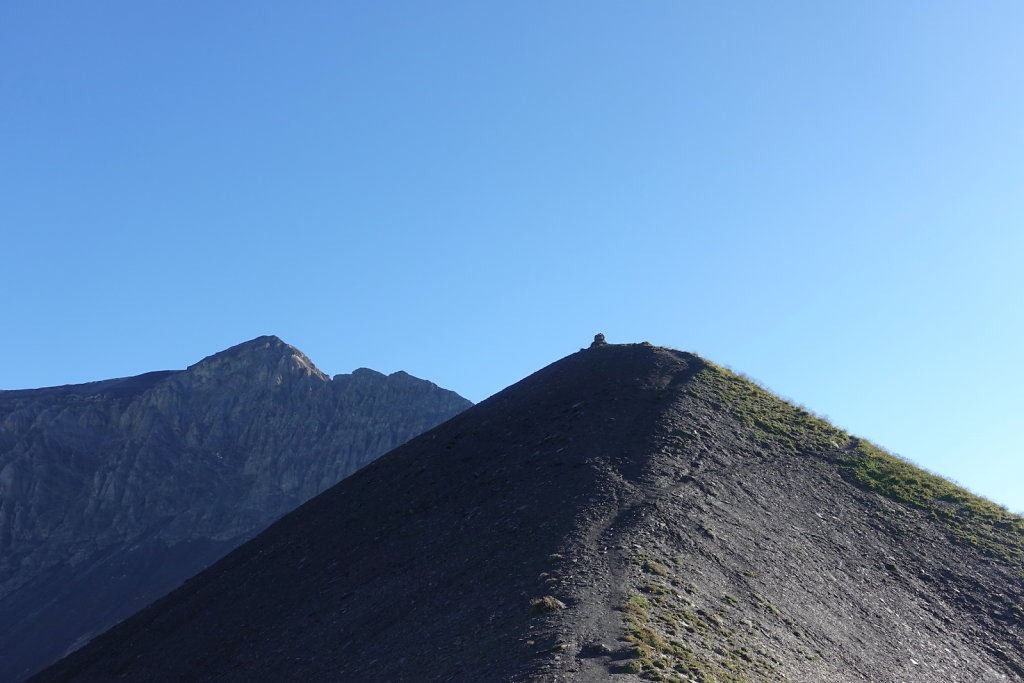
[828,197]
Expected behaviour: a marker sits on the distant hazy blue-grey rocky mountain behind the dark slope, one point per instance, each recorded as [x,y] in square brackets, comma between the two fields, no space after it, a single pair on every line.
[113,493]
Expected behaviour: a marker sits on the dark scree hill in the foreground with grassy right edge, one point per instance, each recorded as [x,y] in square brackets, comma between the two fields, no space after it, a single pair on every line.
[627,514]
